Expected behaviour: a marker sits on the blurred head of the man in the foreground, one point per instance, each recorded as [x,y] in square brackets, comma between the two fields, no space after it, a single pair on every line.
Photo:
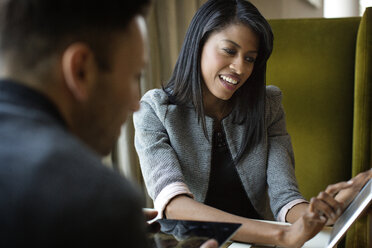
[86,56]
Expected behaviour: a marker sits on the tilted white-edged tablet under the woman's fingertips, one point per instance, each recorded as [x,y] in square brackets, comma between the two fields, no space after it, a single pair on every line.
[352,212]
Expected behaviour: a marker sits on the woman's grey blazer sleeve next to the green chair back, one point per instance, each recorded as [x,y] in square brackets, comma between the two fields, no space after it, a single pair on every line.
[281,179]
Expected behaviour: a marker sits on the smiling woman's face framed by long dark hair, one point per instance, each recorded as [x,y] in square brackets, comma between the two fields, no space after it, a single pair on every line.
[227,60]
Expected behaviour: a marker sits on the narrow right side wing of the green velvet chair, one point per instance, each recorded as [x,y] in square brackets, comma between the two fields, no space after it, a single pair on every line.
[360,233]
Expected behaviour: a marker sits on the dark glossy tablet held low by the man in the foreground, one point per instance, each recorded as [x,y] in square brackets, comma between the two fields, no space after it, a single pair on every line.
[191,234]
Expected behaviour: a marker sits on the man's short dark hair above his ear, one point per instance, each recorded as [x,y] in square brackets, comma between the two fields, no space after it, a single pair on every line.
[33,29]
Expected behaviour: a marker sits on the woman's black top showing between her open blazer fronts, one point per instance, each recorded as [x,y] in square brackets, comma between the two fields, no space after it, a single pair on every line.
[225,190]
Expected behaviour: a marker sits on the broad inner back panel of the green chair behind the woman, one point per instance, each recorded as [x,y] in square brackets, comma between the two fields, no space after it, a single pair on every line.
[313,64]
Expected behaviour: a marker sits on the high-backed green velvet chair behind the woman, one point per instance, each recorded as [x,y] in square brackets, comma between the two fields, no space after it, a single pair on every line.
[324,68]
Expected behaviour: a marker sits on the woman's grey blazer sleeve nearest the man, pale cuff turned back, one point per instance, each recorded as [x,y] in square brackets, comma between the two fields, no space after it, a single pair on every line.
[159,163]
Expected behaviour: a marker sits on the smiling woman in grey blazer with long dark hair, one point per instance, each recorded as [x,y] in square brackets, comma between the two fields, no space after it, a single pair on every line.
[213,143]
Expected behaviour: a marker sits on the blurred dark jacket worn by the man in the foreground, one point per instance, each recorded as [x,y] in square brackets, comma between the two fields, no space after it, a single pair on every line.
[54,191]
